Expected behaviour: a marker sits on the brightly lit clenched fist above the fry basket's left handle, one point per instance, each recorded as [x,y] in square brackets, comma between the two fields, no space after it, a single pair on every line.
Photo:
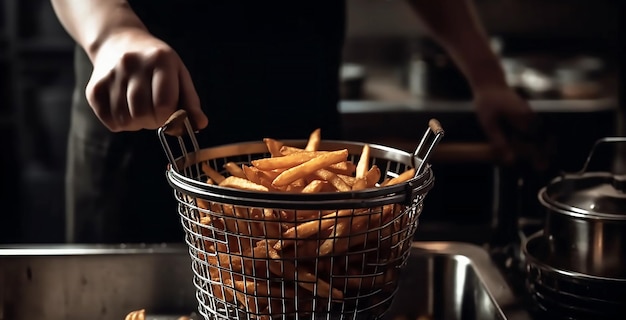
[138,81]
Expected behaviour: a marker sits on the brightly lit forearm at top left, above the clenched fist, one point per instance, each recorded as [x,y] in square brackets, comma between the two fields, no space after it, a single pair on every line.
[91,22]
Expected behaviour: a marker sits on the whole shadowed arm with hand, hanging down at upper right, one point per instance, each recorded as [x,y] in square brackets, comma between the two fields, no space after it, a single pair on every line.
[506,119]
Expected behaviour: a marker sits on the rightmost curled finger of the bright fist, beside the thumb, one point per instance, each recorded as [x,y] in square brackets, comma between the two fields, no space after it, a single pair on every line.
[164,93]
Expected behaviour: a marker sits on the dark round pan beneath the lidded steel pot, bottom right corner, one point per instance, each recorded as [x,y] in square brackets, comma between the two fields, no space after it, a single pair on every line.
[562,293]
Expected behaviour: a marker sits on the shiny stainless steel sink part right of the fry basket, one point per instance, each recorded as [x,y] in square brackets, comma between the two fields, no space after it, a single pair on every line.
[454,281]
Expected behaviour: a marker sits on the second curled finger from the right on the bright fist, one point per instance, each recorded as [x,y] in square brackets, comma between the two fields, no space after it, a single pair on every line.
[139,97]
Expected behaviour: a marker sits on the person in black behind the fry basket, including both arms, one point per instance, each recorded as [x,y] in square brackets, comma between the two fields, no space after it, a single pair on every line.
[243,70]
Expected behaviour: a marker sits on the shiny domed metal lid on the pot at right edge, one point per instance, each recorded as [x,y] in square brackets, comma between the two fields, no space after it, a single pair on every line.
[594,193]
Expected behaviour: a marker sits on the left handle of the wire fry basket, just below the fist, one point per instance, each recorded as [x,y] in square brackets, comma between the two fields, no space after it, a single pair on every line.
[176,126]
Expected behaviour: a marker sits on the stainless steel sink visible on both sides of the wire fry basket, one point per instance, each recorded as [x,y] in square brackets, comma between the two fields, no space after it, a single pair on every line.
[443,280]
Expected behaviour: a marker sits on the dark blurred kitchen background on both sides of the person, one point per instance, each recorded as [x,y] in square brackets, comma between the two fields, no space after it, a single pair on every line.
[560,54]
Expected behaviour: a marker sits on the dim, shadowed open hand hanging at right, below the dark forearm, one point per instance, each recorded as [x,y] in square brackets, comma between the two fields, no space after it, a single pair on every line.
[510,126]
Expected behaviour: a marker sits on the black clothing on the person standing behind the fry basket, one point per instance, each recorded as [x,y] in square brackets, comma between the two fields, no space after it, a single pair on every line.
[265,69]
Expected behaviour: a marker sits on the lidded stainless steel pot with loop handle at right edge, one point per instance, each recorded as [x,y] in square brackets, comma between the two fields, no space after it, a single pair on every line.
[586,220]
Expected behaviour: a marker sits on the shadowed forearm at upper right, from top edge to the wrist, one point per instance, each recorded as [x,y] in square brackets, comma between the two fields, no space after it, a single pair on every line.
[455,26]
